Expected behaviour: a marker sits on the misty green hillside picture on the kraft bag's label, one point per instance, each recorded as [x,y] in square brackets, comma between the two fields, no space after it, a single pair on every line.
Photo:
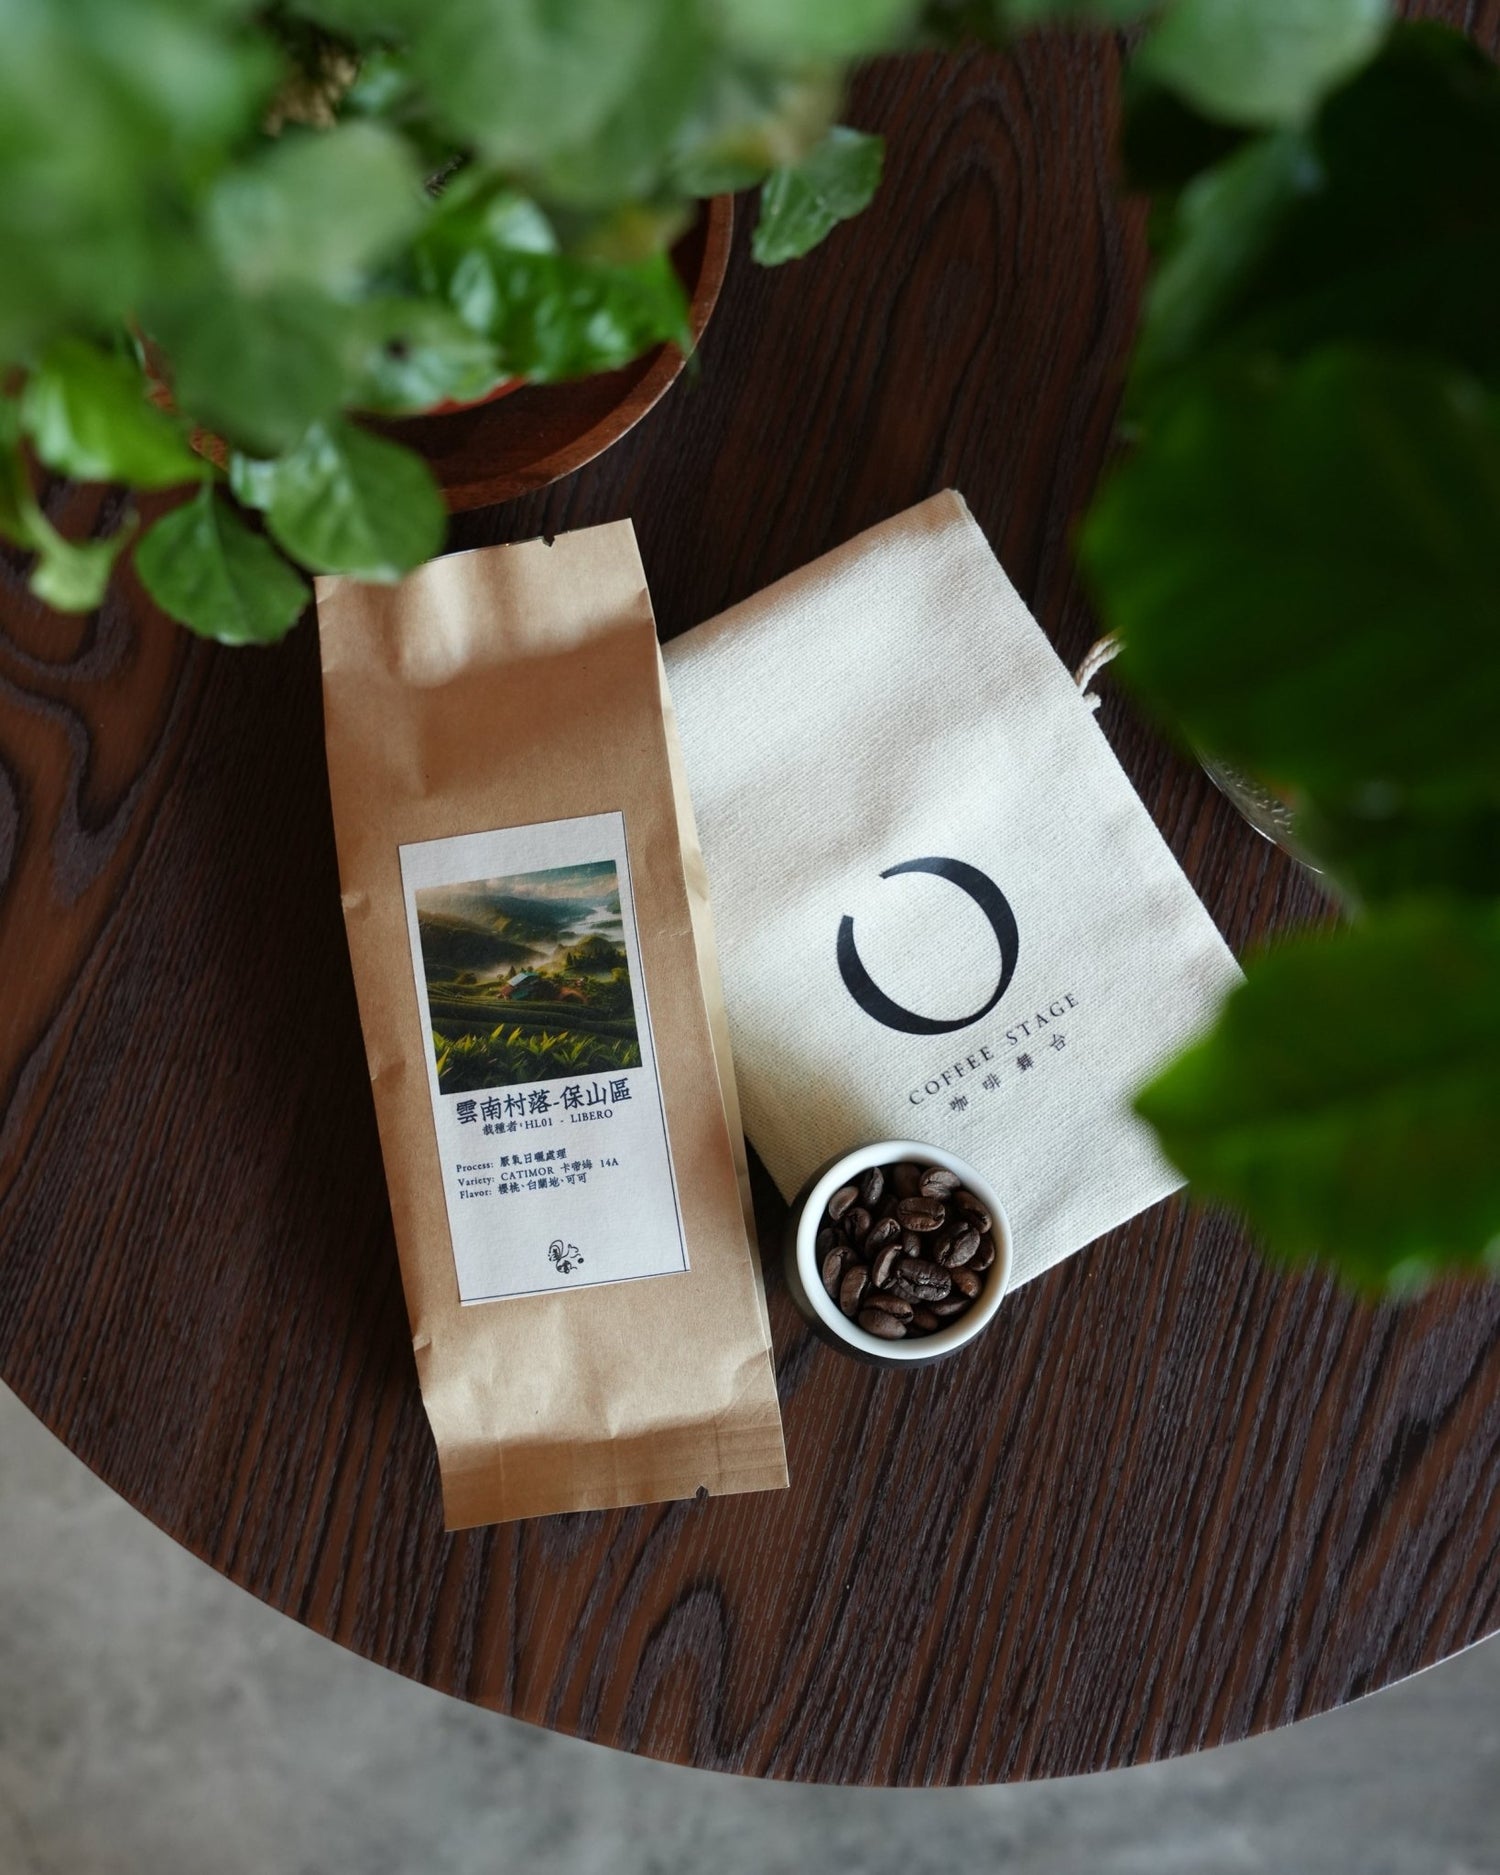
[528,978]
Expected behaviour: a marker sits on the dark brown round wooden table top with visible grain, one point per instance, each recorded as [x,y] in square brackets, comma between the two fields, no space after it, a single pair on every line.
[1178,1497]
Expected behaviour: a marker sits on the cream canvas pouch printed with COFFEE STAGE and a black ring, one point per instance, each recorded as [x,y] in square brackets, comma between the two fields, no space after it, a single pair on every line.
[944,912]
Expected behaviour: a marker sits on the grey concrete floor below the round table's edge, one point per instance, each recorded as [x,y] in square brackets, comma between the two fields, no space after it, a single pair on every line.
[155,1718]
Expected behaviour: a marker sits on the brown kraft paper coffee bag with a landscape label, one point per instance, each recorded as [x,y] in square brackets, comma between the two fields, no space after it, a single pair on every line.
[547,1038]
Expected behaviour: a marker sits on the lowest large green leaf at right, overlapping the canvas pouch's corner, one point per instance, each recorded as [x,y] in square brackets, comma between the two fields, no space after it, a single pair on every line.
[1347,1100]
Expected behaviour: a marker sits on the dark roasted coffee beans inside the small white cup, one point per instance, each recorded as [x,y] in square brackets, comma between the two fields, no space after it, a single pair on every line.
[905,1250]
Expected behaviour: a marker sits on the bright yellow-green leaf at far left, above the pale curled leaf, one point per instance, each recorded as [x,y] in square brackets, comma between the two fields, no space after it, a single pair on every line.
[89,419]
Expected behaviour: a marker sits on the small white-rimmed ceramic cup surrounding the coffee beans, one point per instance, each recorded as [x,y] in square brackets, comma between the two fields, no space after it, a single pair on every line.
[807,1282]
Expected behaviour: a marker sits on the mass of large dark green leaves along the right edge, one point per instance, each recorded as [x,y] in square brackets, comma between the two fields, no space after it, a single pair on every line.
[1302,552]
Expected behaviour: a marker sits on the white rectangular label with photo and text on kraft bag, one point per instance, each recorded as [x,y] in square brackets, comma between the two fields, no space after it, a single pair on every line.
[541,1060]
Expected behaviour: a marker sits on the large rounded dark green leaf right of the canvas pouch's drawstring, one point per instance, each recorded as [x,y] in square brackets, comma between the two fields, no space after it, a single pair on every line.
[1304,565]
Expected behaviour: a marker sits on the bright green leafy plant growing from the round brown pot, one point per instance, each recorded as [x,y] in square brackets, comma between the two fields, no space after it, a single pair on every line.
[256,224]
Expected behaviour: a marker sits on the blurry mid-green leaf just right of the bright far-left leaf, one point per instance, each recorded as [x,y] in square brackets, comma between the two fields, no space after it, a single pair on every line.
[258,368]
